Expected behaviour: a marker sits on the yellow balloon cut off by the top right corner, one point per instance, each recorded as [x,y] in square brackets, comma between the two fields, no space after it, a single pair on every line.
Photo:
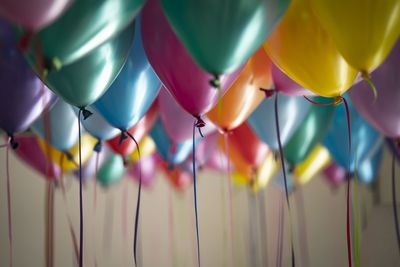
[365,31]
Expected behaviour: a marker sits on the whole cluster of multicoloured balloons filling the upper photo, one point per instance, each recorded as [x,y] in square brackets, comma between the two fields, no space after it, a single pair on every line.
[239,68]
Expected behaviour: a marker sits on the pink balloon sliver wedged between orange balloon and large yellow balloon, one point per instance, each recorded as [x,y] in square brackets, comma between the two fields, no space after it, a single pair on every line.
[286,85]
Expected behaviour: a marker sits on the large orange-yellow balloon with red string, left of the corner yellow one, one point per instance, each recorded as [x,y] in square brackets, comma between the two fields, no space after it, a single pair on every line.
[305,52]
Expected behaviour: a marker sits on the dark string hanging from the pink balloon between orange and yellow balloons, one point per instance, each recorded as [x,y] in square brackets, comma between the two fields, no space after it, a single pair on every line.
[278,134]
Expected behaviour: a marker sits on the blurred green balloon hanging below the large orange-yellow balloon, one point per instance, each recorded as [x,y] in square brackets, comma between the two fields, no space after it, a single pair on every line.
[310,132]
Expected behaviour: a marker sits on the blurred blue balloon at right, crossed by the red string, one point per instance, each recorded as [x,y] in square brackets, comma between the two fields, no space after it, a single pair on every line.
[364,138]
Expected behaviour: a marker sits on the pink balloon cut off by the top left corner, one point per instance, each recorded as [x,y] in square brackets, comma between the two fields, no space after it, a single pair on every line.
[33,14]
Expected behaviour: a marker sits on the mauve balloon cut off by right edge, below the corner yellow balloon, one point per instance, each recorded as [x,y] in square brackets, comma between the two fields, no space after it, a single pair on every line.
[382,112]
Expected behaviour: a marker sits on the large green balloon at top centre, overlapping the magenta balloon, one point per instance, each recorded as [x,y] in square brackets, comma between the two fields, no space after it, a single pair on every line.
[222,35]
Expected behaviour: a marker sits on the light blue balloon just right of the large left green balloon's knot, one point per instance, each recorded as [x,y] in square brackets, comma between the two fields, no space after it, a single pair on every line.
[97,126]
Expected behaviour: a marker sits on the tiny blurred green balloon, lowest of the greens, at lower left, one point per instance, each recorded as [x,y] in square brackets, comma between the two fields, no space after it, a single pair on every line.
[111,171]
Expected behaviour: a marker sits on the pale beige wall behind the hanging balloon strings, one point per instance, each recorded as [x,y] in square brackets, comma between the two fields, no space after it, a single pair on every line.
[167,226]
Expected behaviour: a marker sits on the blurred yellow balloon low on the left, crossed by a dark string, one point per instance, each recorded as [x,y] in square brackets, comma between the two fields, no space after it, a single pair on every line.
[88,142]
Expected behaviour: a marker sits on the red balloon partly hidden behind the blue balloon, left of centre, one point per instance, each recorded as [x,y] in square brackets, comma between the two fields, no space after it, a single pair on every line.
[138,131]
